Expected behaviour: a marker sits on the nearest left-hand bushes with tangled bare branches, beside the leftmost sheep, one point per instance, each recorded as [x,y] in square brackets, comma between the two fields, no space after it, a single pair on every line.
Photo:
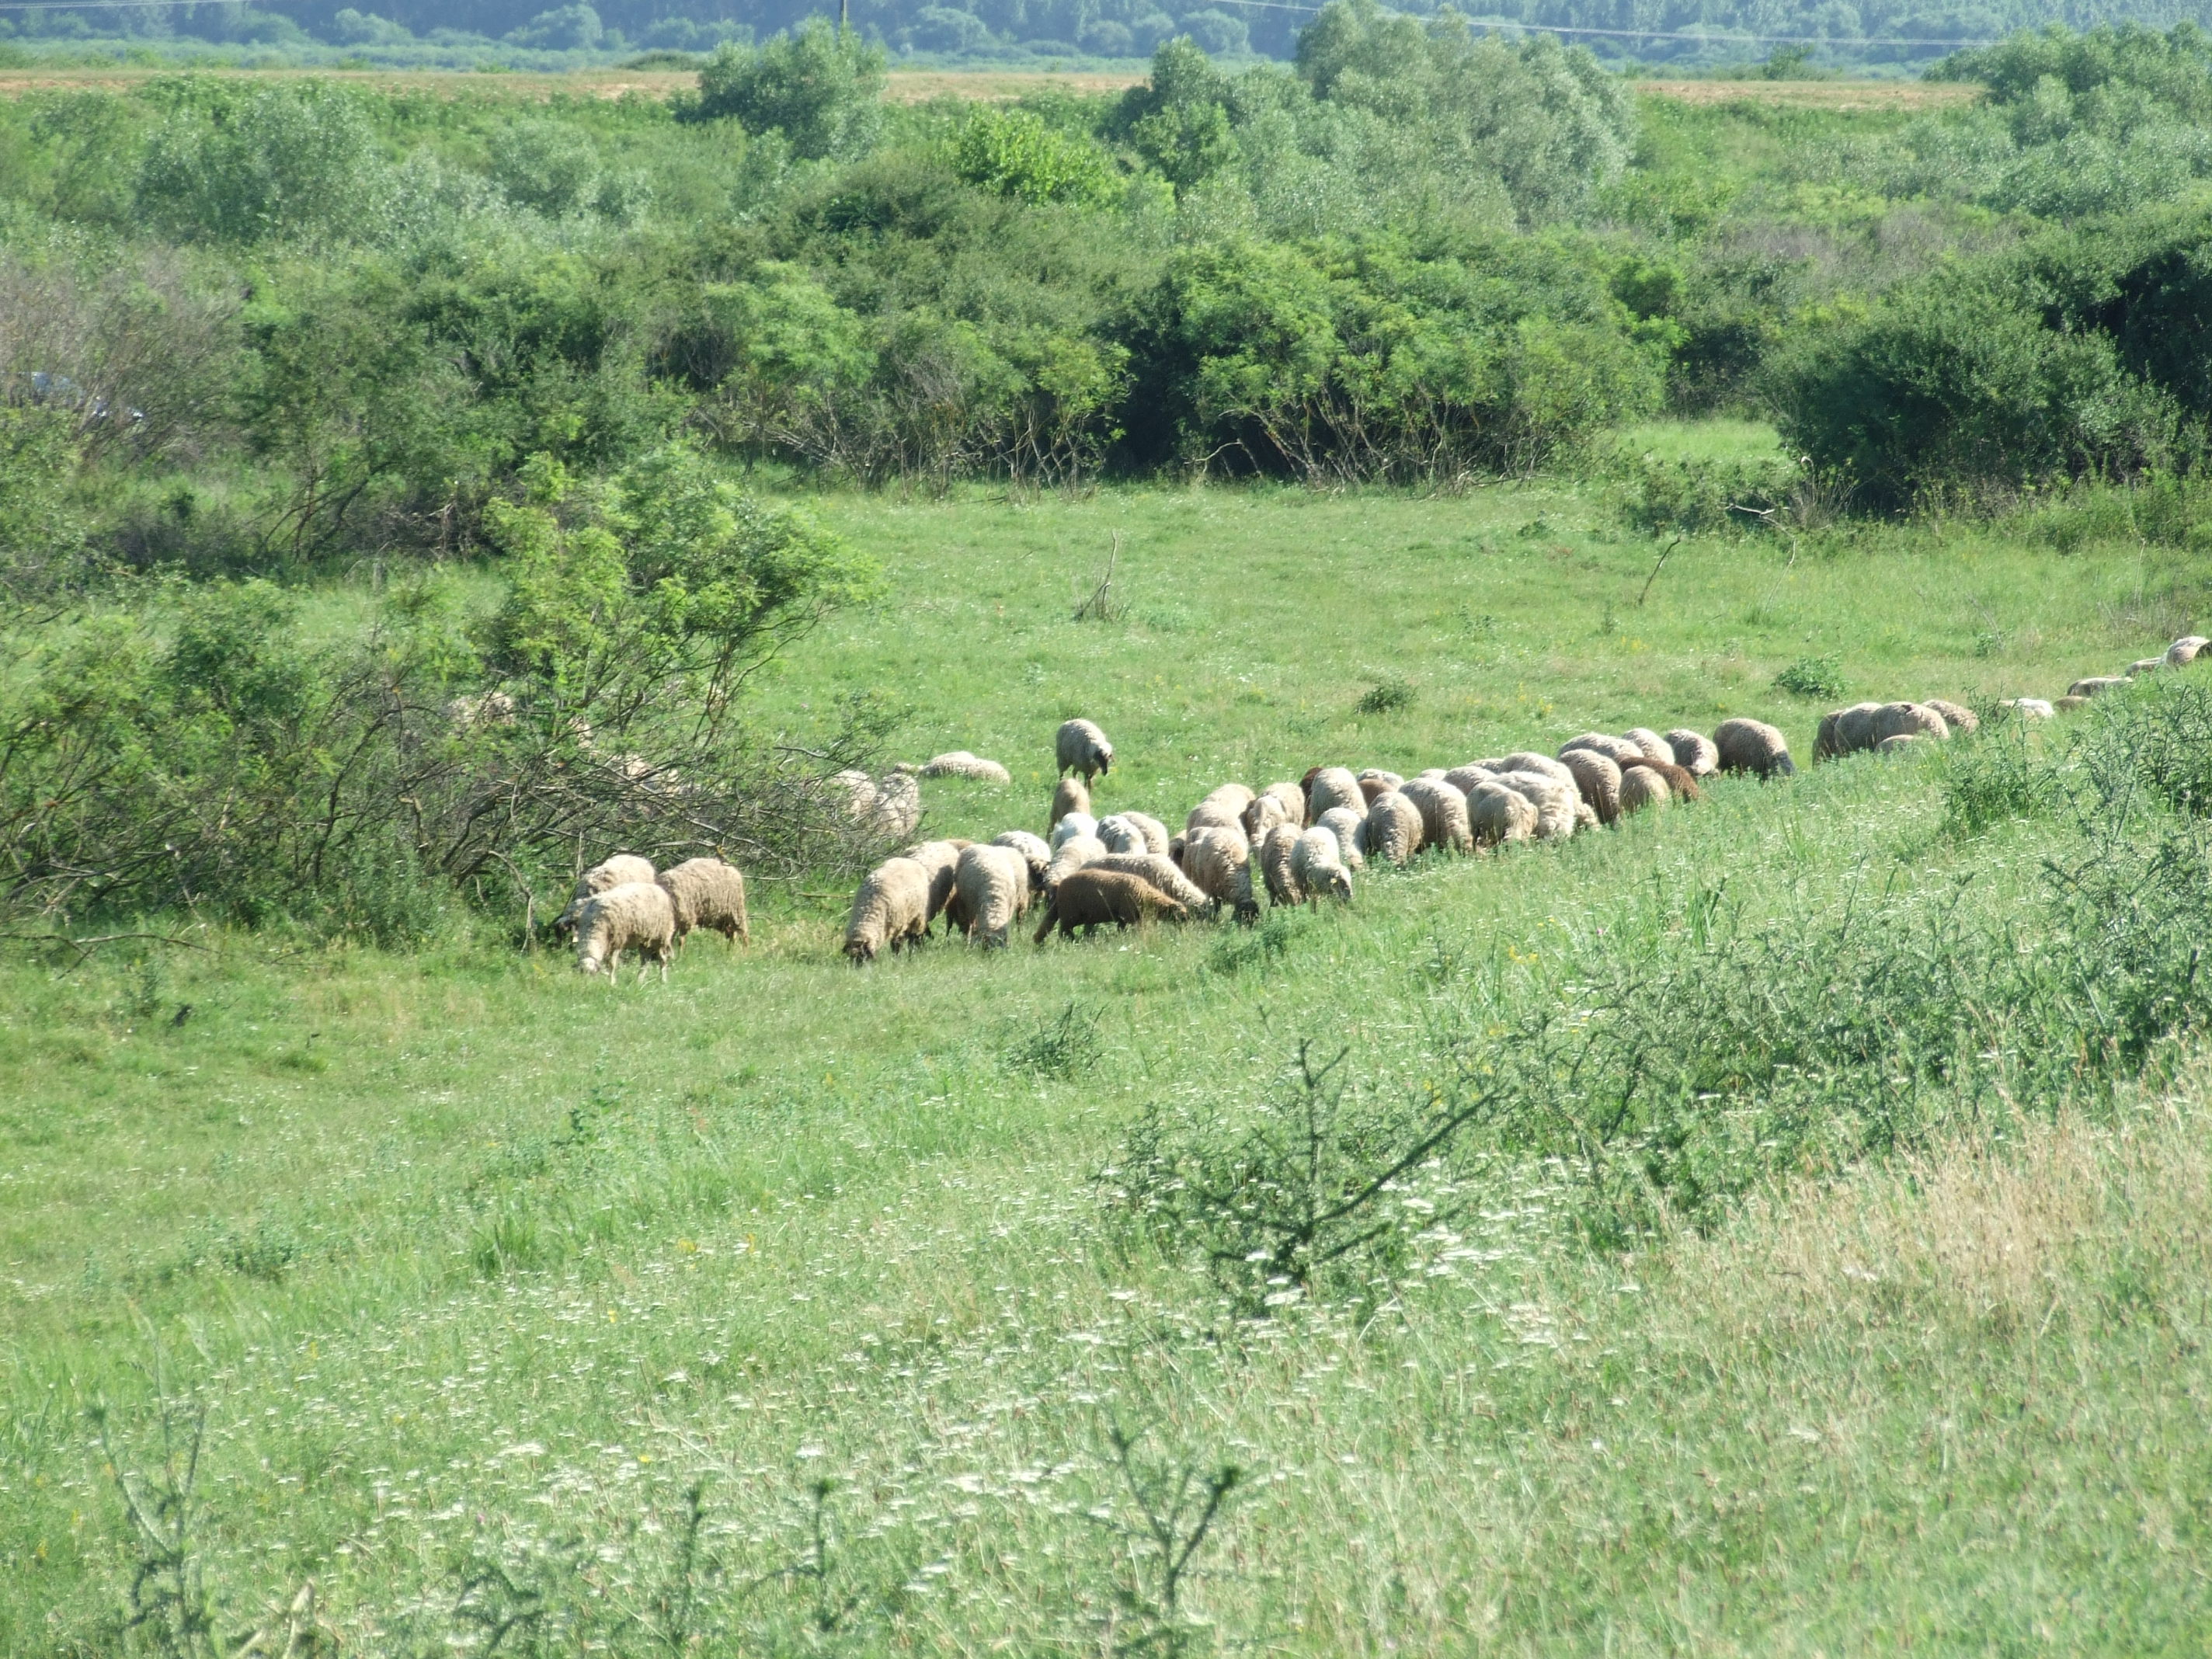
[207,753]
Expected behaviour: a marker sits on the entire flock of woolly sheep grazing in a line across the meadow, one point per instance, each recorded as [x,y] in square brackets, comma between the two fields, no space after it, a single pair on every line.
[1306,839]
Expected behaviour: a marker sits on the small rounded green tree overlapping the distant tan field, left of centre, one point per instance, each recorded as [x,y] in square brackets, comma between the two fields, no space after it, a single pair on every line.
[817,85]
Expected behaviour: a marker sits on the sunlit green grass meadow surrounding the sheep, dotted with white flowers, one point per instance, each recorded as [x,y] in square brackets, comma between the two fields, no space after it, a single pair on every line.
[479,1271]
